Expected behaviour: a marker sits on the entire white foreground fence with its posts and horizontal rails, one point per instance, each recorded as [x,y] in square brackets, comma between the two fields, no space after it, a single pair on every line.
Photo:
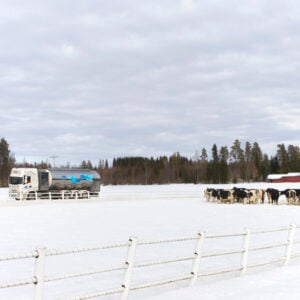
[197,256]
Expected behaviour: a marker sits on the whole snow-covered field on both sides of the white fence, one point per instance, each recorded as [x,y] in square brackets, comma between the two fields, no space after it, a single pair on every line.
[148,212]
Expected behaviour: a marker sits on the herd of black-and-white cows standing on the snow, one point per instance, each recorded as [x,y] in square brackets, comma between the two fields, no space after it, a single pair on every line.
[251,196]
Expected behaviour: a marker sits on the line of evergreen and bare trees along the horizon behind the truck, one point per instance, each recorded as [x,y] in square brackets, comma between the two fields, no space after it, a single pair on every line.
[237,163]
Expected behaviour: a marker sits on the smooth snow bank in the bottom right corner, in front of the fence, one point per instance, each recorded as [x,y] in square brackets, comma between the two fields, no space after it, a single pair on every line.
[276,284]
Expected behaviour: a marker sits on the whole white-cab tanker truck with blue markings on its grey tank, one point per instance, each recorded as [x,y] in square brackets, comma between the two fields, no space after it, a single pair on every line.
[33,183]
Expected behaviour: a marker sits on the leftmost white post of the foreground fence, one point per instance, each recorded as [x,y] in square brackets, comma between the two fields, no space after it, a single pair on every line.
[39,273]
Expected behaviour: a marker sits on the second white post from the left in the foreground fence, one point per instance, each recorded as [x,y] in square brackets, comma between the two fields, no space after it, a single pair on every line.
[129,269]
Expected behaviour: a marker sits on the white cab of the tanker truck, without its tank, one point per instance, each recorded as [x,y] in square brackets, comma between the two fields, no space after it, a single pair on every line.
[22,181]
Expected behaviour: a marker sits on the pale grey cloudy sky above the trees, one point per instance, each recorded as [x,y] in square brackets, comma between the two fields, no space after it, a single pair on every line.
[98,79]
